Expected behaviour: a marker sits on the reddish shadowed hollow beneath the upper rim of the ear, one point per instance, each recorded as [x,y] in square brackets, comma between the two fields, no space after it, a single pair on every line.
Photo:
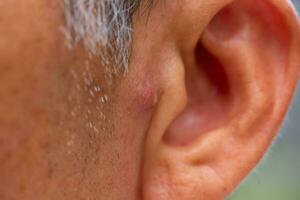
[252,21]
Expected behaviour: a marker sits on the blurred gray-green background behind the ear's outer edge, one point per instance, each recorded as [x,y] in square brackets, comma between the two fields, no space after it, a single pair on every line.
[278,175]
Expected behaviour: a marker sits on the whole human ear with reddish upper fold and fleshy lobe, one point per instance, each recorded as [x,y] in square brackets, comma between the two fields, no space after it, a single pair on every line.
[224,104]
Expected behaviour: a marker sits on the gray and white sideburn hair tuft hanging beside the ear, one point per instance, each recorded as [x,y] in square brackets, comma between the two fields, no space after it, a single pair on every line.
[103,26]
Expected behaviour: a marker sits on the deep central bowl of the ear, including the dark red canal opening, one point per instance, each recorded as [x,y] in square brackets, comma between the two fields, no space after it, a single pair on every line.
[209,99]
